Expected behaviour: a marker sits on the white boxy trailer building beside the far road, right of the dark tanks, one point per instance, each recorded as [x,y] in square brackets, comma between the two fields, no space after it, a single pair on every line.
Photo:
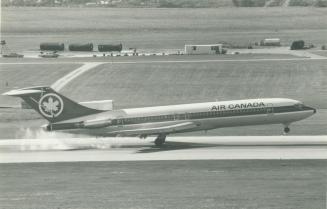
[205,49]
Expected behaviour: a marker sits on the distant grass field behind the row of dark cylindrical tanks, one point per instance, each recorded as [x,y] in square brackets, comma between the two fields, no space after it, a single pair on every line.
[145,28]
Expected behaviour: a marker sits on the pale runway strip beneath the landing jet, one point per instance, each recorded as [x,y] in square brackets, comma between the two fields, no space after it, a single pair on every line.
[176,148]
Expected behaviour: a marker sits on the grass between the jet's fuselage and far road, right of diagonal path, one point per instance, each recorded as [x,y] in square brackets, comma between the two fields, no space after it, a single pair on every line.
[136,85]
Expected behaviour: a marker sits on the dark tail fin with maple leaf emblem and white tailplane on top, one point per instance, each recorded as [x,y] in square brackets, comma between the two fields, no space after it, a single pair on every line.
[50,104]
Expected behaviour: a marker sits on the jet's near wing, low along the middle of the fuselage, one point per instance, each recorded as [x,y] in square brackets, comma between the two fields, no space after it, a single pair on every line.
[157,130]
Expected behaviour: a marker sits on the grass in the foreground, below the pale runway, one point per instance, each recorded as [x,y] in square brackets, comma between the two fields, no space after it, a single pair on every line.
[243,184]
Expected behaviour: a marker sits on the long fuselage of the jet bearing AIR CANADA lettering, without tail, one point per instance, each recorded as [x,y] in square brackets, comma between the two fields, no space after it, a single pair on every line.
[206,116]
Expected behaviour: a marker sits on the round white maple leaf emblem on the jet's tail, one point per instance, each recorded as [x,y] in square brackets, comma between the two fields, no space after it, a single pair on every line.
[51,105]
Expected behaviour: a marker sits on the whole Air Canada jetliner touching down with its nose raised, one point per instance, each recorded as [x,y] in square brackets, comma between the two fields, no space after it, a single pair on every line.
[66,115]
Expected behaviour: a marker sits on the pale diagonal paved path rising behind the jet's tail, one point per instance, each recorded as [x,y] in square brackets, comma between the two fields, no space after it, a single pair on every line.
[59,84]
